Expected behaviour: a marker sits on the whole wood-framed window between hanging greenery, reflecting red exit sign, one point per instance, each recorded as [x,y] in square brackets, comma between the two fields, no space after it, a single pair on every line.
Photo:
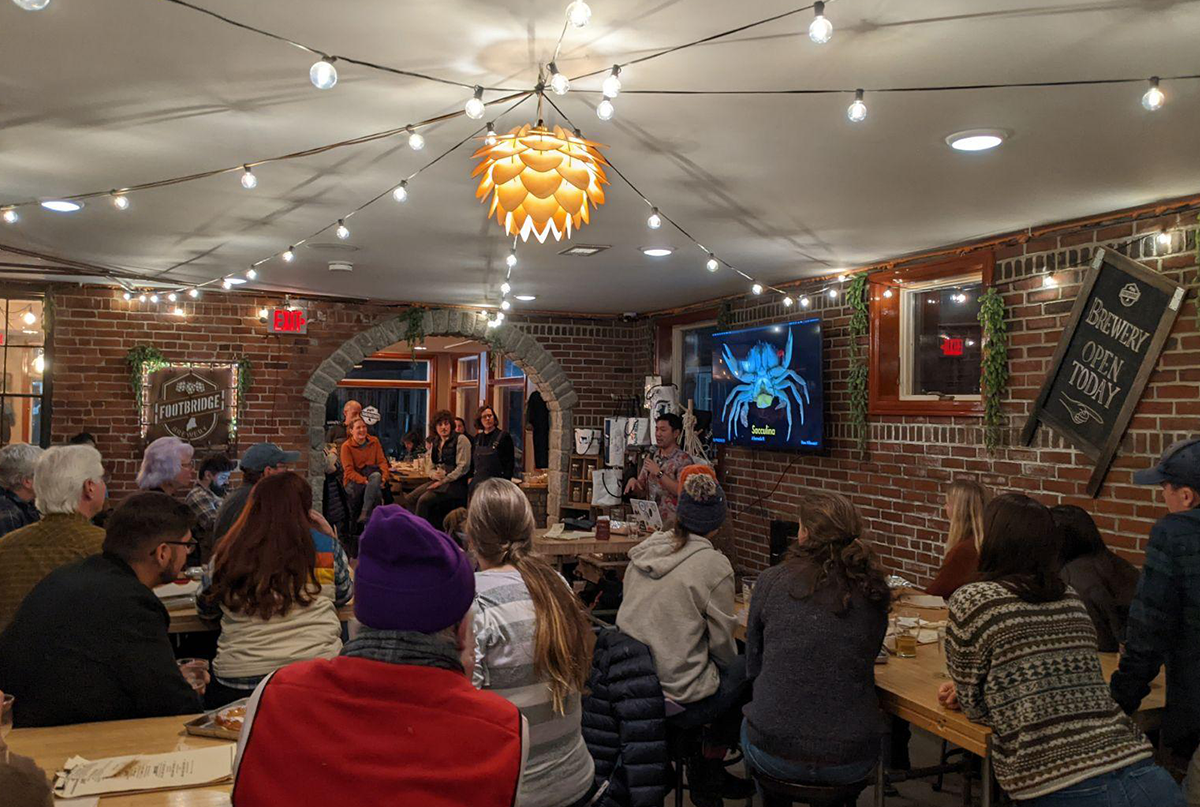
[926,344]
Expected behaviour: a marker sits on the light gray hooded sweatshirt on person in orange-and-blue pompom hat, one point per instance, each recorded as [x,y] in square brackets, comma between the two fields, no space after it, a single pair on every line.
[681,606]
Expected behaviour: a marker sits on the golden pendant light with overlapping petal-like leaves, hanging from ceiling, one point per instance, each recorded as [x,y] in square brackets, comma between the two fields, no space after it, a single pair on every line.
[542,182]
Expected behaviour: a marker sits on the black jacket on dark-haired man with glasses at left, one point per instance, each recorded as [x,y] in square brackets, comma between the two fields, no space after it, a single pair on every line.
[91,643]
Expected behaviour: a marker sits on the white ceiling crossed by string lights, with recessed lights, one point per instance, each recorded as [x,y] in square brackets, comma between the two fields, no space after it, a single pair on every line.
[97,95]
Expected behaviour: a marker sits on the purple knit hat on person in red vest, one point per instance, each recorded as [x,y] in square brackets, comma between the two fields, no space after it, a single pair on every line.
[411,577]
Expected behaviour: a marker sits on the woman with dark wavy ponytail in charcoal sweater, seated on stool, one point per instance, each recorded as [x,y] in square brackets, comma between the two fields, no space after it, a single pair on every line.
[817,624]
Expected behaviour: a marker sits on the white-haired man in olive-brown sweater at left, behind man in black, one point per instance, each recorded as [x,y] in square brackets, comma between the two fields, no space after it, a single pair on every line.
[69,485]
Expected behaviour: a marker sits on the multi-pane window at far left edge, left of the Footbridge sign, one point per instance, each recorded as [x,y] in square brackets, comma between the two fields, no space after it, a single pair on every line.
[22,403]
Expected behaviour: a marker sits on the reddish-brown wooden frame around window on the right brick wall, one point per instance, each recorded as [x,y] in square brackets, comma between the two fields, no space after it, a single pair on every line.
[884,384]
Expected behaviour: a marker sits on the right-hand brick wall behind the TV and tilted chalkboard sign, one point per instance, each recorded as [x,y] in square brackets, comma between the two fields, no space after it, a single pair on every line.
[899,486]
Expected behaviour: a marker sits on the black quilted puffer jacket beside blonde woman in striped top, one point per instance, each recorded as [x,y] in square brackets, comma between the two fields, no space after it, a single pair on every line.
[625,724]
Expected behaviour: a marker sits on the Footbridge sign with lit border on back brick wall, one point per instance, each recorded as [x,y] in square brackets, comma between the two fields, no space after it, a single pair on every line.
[191,403]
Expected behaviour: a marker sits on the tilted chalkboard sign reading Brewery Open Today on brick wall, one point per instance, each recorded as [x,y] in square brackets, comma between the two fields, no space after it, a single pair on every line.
[1118,328]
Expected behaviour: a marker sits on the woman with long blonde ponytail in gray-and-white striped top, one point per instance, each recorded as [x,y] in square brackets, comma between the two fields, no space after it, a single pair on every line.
[533,645]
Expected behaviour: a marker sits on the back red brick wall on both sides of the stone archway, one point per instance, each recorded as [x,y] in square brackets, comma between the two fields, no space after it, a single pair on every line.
[94,328]
